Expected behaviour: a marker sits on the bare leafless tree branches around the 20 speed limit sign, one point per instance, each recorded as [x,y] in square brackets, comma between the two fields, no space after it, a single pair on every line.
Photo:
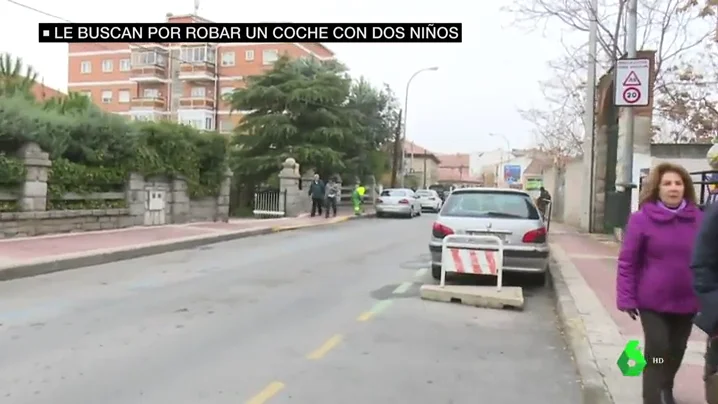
[669,27]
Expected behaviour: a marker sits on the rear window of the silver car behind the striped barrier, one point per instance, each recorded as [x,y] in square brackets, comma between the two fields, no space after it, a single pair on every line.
[508,205]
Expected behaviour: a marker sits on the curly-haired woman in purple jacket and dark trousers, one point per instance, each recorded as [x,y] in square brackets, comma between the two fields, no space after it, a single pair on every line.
[654,279]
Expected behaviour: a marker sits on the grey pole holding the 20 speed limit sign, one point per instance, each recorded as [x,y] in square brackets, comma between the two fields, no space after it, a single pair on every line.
[631,40]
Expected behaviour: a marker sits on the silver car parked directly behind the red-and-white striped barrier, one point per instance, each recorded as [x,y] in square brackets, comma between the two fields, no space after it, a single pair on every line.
[508,214]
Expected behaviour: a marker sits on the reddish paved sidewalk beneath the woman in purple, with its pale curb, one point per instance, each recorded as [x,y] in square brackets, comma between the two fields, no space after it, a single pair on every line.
[586,265]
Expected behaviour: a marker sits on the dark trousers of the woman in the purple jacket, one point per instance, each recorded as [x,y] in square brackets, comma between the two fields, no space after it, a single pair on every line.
[666,337]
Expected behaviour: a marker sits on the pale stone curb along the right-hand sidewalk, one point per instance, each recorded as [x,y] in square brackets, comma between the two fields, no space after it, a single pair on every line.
[593,386]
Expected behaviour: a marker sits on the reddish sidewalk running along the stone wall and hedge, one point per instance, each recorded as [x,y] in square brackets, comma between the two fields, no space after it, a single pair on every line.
[30,256]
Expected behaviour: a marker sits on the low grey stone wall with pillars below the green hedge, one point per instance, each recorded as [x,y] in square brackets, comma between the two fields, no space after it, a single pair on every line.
[34,219]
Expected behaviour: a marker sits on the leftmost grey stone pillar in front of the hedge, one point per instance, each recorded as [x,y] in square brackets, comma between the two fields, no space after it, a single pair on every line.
[33,193]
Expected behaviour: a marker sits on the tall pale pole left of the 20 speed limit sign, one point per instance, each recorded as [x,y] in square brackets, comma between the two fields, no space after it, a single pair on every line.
[589,119]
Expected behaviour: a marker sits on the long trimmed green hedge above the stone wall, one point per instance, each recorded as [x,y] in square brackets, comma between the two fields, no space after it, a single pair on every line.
[93,151]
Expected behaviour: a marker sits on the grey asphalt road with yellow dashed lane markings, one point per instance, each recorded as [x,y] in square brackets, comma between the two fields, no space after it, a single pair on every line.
[327,315]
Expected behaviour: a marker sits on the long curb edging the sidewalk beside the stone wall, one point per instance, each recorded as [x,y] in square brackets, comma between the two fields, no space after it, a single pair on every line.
[75,261]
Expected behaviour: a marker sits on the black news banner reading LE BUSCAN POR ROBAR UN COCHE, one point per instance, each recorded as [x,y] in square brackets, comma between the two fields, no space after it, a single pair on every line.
[261,32]
